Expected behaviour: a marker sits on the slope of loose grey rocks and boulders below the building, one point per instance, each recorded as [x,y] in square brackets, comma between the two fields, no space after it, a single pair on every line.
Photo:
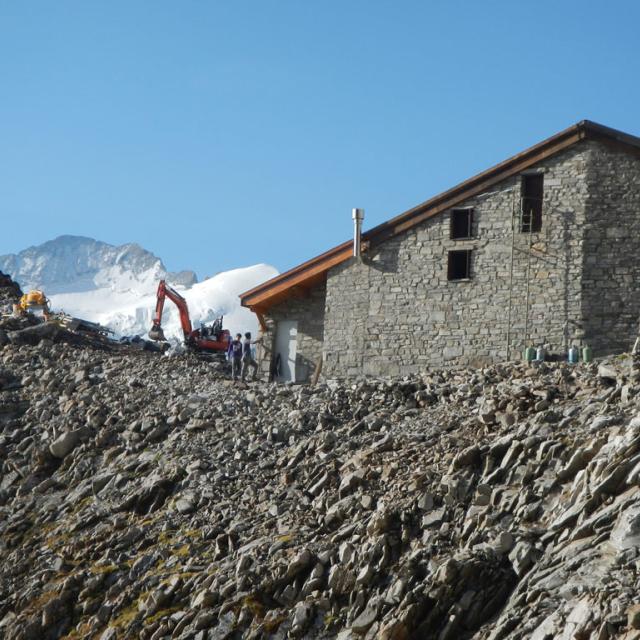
[146,497]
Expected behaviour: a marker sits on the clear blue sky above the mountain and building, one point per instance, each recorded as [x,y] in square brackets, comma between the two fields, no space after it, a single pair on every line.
[221,134]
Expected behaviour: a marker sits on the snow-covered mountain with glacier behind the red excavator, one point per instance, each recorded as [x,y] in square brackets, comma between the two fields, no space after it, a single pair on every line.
[116,286]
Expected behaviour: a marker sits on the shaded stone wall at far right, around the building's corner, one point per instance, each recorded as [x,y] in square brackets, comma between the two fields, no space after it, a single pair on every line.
[611,280]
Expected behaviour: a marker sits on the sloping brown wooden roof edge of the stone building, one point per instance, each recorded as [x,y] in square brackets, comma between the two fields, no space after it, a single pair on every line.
[297,281]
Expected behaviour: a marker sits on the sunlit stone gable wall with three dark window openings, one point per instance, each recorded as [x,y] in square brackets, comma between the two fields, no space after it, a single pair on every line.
[395,311]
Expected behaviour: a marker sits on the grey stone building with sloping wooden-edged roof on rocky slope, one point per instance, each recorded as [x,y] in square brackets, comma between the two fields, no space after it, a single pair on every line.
[541,249]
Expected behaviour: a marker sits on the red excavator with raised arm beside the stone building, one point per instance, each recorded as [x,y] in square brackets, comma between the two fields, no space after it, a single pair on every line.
[213,338]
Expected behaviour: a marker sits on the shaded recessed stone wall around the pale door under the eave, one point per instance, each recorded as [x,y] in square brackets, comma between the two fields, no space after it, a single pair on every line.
[309,312]
